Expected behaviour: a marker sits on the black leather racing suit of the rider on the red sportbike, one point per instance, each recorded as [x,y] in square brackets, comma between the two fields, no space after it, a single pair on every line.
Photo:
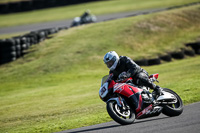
[139,75]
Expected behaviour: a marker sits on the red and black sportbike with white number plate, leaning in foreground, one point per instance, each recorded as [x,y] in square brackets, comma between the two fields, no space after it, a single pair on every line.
[127,102]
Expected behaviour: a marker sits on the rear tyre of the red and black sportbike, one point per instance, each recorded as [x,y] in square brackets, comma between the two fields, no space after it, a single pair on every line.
[173,109]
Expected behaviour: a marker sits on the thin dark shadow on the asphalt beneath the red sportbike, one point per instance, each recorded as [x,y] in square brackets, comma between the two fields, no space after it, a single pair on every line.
[115,125]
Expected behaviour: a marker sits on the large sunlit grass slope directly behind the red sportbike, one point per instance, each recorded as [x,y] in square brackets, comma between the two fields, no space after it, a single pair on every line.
[56,87]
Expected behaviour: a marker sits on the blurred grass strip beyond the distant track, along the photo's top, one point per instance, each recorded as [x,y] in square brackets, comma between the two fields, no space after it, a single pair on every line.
[97,8]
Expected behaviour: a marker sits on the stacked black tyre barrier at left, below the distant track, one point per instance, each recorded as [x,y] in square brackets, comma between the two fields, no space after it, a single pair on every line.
[16,47]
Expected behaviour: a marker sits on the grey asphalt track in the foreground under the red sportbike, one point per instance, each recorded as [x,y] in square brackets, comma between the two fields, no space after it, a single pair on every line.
[187,122]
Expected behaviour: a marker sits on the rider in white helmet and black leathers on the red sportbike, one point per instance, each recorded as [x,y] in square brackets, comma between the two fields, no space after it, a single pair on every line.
[123,66]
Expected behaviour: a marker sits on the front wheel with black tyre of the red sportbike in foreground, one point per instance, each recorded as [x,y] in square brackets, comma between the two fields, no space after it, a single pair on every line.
[121,115]
